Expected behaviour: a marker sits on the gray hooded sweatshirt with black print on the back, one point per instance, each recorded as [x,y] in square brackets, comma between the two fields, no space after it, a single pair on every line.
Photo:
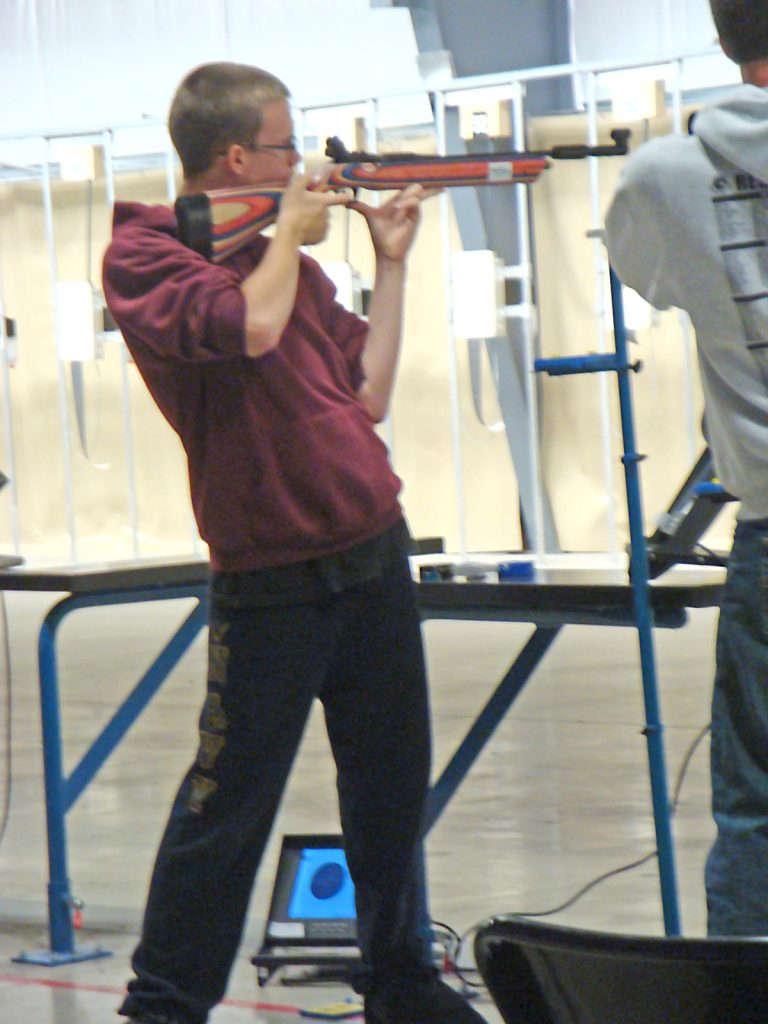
[689,228]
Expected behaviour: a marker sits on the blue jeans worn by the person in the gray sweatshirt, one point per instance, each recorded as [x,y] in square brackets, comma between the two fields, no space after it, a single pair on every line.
[737,875]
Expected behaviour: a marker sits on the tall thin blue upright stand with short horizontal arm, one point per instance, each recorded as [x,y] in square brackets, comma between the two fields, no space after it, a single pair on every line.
[619,363]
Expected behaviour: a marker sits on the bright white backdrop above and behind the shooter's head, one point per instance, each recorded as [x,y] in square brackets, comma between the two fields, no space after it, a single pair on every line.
[72,64]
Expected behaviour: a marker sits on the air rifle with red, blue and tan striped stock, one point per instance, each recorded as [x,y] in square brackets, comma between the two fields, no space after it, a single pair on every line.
[219,224]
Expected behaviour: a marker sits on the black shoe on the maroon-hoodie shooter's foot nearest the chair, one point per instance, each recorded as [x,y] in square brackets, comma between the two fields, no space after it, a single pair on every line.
[419,998]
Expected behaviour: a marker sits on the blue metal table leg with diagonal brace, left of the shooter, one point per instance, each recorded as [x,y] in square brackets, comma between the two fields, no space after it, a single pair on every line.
[63,792]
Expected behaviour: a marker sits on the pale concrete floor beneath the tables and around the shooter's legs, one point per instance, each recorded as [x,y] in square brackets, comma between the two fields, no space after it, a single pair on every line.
[561,796]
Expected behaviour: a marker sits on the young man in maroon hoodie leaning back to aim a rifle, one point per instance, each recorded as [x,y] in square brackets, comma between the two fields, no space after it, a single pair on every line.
[275,389]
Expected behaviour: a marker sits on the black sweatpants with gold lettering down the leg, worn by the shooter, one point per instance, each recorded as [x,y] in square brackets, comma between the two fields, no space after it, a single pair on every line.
[361,653]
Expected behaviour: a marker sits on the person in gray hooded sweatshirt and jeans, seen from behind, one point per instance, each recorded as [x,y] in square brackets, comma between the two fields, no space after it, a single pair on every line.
[689,228]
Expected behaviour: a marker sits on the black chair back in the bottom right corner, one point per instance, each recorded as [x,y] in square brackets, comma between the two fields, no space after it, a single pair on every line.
[548,974]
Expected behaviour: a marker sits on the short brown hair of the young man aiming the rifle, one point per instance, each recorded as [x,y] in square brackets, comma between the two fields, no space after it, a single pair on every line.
[217,106]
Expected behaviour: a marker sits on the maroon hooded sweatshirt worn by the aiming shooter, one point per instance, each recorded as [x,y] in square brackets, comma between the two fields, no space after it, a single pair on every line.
[284,461]
